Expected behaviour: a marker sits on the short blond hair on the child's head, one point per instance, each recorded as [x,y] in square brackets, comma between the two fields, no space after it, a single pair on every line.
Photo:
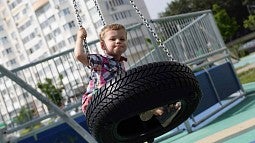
[111,27]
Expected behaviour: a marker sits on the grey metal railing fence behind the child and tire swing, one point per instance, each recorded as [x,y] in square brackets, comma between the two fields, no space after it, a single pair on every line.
[191,38]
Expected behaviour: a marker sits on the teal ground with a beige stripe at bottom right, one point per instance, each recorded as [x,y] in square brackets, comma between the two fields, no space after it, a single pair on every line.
[237,125]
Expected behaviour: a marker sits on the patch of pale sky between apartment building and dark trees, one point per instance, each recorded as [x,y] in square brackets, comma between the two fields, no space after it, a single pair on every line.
[156,6]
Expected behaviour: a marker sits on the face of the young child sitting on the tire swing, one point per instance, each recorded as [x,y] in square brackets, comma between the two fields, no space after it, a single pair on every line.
[114,43]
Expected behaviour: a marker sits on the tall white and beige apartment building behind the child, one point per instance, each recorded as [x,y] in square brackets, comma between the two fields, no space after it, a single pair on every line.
[31,30]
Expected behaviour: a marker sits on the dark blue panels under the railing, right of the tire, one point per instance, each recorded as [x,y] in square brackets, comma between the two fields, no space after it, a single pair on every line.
[224,80]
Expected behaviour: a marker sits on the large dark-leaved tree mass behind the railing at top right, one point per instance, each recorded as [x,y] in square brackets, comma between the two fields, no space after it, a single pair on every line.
[234,8]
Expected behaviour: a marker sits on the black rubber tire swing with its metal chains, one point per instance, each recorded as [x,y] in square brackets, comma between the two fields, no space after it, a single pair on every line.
[113,114]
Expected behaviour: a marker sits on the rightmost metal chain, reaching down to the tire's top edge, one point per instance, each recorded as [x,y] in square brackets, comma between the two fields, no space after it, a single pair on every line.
[146,23]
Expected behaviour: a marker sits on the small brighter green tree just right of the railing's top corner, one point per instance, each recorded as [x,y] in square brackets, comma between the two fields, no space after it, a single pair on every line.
[227,25]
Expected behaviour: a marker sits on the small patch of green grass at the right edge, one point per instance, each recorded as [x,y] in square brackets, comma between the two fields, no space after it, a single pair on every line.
[247,76]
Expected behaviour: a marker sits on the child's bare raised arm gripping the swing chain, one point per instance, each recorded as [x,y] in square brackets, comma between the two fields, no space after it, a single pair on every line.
[79,53]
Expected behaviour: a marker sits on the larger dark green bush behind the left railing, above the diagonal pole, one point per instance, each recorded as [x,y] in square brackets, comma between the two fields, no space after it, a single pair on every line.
[54,93]
